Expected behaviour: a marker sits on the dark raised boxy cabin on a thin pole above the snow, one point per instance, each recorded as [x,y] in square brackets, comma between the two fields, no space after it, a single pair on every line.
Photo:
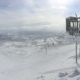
[73,25]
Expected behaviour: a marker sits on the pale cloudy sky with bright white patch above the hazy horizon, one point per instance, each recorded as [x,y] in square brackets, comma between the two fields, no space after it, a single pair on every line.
[37,14]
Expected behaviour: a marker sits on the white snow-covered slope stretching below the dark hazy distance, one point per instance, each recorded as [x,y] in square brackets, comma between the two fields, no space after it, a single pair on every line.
[38,59]
